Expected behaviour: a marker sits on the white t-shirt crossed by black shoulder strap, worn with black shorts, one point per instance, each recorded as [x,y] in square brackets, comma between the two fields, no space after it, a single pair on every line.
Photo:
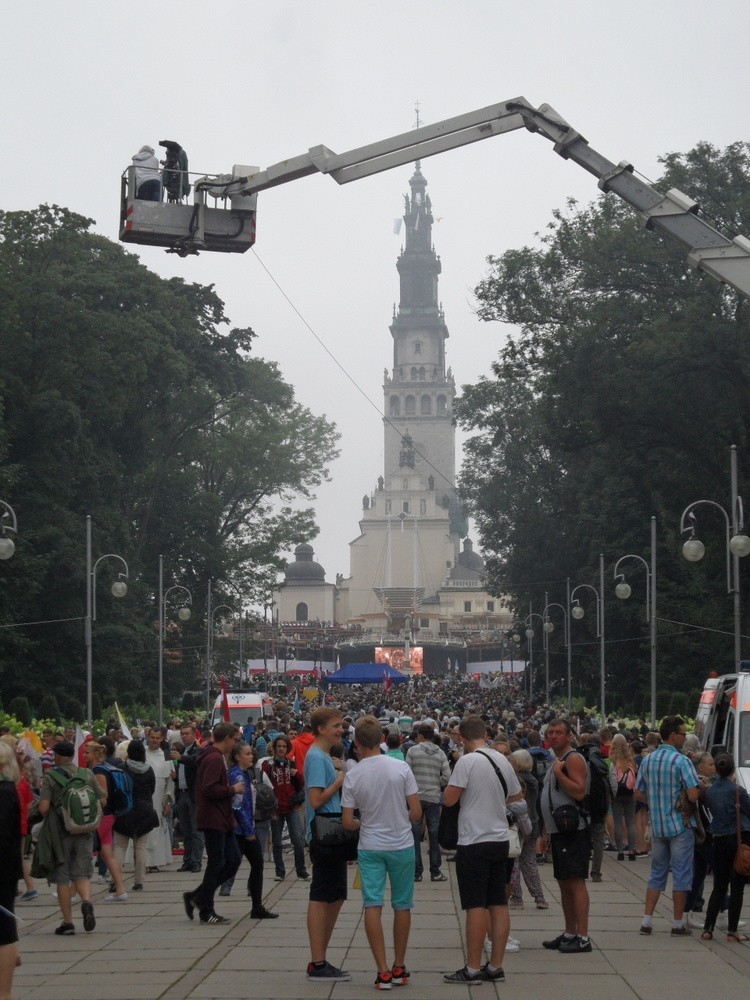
[482,817]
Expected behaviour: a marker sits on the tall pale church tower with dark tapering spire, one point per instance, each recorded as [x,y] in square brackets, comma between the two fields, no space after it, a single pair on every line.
[412,523]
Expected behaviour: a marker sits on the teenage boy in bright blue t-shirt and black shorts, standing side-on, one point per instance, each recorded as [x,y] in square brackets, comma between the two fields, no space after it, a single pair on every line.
[323,780]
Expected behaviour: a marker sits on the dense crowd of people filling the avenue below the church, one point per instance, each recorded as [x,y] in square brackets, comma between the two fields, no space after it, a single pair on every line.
[371,775]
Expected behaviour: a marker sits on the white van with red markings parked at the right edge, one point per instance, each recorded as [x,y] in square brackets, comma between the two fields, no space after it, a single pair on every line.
[722,721]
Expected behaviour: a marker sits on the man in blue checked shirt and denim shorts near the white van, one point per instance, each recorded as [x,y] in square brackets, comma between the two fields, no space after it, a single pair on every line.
[663,775]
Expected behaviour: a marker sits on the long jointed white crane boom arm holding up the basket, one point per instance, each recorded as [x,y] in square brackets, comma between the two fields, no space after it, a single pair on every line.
[672,214]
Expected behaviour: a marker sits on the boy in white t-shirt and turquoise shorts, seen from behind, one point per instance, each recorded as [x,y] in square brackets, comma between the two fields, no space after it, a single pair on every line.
[385,792]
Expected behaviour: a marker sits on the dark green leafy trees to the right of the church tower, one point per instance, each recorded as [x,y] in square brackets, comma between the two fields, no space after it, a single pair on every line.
[617,399]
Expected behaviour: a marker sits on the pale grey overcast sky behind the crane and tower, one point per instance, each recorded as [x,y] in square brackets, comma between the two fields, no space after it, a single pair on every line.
[85,84]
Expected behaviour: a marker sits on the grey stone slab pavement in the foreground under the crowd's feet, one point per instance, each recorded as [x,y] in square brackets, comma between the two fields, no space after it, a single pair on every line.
[147,948]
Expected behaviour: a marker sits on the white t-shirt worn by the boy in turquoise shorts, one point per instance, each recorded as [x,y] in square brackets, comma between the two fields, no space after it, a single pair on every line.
[378,787]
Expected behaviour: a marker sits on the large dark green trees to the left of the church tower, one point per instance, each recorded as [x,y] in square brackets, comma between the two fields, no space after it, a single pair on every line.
[130,398]
